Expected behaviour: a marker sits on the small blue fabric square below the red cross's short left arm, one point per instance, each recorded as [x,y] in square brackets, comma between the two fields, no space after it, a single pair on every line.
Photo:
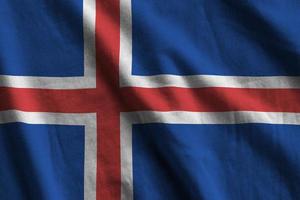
[41,162]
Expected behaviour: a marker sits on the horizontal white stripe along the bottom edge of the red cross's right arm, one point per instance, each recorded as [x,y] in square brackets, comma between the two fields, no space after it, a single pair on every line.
[238,117]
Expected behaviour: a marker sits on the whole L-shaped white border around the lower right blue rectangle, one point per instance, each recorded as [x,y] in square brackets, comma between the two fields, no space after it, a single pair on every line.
[179,117]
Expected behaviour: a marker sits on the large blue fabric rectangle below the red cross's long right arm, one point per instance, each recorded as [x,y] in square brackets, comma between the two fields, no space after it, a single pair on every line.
[216,162]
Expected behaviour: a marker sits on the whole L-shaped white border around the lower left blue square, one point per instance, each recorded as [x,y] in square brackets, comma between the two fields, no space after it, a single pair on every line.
[88,120]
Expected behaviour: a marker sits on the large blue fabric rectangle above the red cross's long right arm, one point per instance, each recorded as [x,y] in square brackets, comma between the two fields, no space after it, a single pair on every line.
[216,37]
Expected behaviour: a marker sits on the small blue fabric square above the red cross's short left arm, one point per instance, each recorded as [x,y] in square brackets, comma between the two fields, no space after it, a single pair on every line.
[41,38]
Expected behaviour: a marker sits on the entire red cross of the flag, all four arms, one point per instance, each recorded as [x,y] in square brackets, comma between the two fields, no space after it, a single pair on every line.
[108,99]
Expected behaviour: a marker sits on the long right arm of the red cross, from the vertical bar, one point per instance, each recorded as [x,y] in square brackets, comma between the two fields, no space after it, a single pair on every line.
[210,99]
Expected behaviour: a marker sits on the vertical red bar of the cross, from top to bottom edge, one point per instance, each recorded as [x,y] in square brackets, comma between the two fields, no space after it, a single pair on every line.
[107,48]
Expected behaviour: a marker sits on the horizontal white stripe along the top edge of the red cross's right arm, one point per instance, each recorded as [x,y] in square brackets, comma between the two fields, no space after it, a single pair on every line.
[200,81]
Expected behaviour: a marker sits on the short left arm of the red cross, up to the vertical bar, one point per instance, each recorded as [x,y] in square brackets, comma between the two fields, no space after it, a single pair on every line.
[37,100]
